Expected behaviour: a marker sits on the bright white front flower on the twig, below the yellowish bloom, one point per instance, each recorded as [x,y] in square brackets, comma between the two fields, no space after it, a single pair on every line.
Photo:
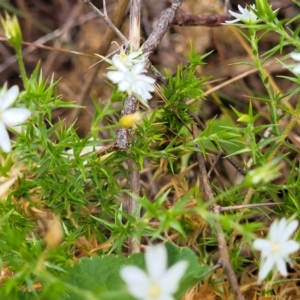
[133,81]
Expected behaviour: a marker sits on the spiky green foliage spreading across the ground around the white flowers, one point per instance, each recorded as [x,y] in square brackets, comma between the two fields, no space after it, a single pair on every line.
[89,194]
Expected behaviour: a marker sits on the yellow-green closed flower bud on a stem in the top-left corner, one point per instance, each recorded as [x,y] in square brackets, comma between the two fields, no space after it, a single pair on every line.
[12,30]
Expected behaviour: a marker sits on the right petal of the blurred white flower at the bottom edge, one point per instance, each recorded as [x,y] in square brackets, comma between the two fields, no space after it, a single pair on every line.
[172,277]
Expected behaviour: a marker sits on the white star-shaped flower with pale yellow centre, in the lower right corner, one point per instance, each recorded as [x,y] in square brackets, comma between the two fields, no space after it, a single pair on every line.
[275,250]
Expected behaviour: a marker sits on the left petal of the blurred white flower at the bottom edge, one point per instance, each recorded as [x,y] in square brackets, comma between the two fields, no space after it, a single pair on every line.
[137,281]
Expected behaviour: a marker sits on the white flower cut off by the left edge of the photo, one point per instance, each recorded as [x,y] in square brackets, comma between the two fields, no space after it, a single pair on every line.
[10,117]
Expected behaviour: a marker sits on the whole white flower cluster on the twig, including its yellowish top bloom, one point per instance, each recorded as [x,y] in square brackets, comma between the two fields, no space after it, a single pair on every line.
[129,74]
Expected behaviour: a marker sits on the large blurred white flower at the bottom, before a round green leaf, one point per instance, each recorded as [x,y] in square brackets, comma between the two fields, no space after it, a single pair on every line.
[159,283]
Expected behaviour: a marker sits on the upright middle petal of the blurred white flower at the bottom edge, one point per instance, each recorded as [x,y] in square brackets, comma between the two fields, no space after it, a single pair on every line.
[156,261]
